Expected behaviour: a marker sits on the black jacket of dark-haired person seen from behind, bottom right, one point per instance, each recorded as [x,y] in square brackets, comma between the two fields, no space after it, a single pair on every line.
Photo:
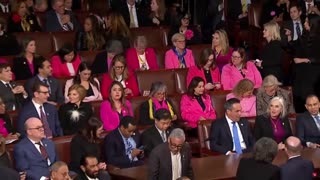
[250,169]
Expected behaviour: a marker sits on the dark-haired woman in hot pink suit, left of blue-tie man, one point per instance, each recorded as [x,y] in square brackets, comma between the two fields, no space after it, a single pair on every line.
[196,105]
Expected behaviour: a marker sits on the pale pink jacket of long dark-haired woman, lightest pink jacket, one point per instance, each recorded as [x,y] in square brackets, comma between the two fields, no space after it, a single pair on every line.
[96,91]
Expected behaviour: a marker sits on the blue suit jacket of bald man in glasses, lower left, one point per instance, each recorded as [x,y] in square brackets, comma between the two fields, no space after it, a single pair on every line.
[29,159]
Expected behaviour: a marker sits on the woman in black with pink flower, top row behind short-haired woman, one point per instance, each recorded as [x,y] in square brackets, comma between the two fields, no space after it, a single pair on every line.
[192,35]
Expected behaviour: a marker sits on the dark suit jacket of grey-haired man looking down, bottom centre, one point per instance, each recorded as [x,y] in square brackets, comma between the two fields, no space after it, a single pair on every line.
[160,163]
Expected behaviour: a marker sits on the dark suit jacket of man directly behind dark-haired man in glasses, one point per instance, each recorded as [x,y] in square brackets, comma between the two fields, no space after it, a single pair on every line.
[56,94]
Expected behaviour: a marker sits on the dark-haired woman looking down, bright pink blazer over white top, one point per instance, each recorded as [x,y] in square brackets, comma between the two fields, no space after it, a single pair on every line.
[65,62]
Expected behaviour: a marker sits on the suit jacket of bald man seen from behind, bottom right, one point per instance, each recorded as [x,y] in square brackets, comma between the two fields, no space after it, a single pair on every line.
[297,168]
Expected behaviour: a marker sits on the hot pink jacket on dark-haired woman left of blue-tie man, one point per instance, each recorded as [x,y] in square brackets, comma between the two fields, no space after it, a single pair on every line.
[191,110]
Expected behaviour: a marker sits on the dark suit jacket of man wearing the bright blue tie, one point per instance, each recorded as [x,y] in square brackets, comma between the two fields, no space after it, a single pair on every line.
[221,138]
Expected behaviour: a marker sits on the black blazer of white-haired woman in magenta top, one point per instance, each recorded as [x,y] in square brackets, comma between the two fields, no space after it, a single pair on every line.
[263,127]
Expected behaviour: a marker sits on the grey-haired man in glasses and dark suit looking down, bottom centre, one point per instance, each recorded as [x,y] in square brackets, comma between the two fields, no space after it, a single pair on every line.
[171,160]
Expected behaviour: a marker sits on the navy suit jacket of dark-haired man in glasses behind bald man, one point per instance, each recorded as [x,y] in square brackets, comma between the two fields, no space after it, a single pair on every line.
[29,110]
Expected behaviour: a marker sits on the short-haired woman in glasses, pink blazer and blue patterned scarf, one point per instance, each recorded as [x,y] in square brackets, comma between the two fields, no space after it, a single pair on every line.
[179,56]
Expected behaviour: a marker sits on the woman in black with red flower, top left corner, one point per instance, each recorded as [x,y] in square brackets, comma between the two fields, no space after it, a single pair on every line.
[21,20]
